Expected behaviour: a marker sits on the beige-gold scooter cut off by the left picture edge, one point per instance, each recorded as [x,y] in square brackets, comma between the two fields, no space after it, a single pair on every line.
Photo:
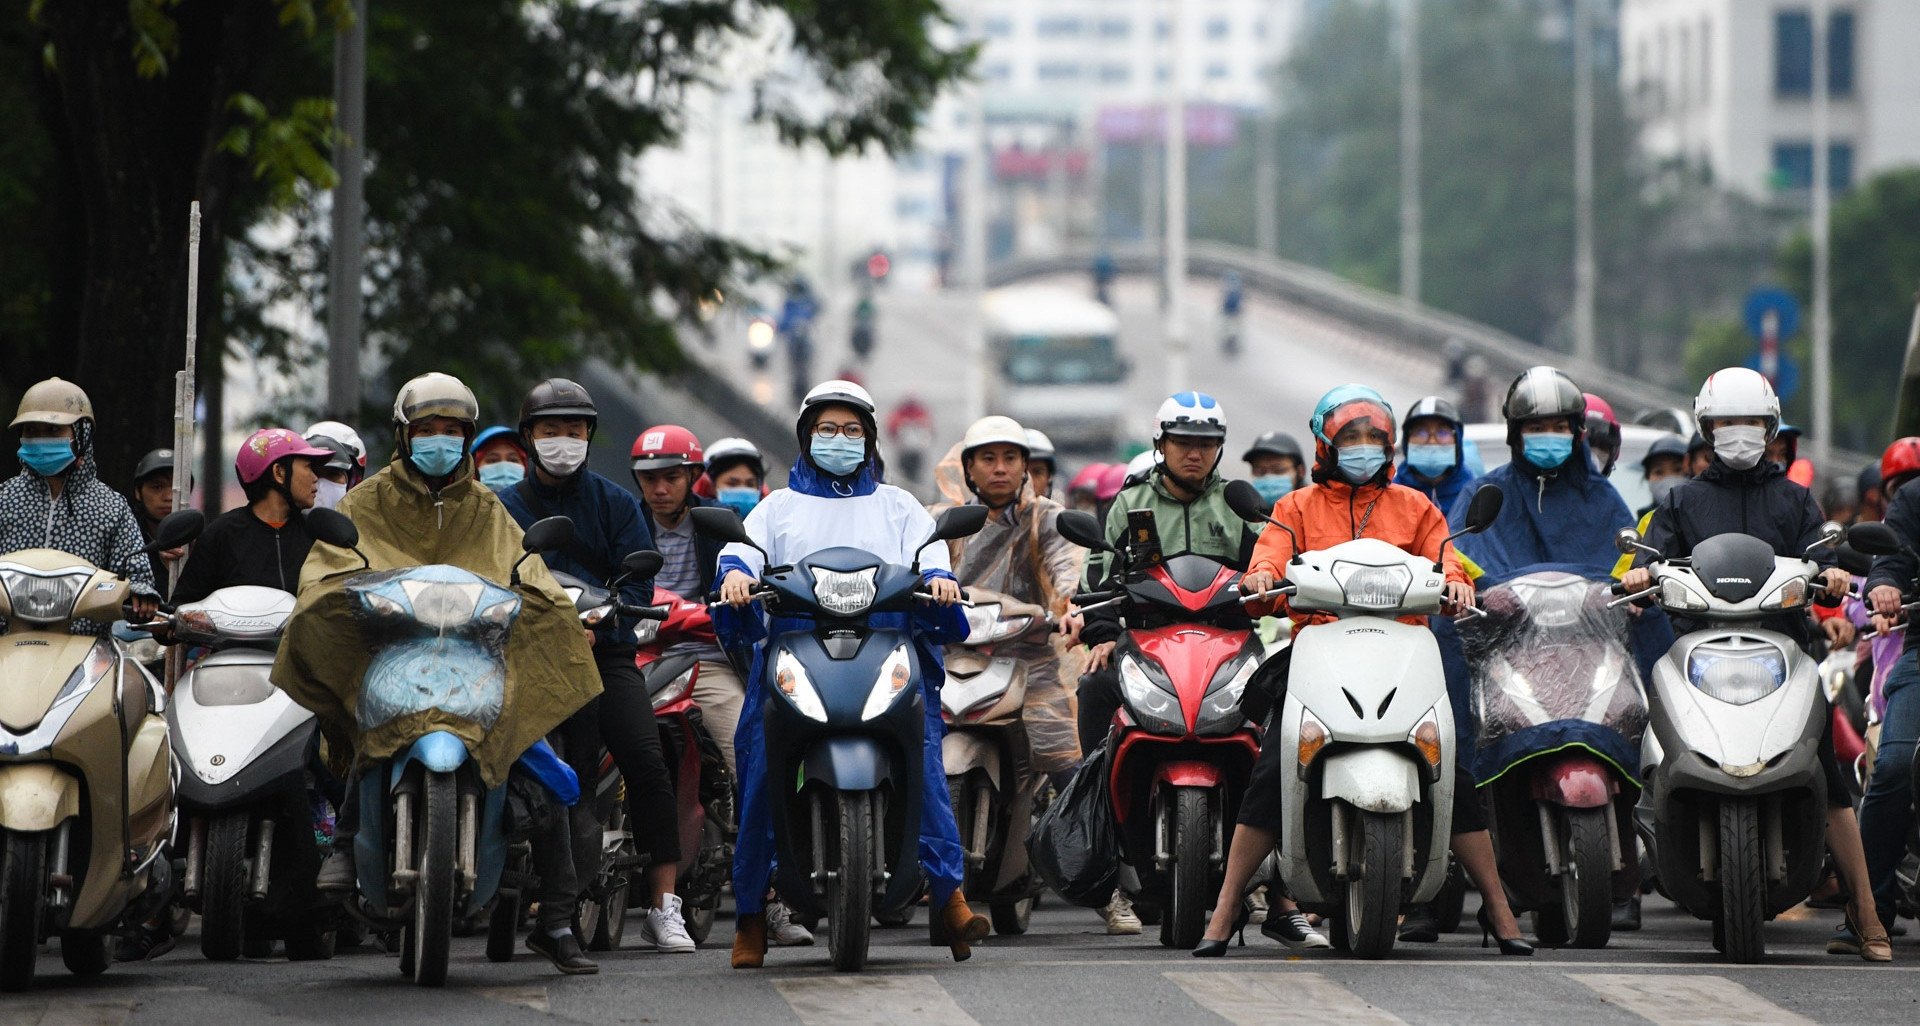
[85,769]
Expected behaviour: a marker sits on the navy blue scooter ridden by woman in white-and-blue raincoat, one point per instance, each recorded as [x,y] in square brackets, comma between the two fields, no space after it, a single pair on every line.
[846,723]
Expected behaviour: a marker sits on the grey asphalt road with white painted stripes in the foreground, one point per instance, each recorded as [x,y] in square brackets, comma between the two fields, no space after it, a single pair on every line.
[1067,969]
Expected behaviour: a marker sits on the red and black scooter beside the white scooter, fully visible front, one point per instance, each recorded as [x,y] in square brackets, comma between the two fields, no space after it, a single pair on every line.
[1182,750]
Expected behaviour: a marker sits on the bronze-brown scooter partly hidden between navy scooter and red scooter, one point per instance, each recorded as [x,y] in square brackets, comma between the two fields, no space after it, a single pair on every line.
[990,771]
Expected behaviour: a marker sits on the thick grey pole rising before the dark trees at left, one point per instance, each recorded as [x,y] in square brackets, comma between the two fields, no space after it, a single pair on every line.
[348,216]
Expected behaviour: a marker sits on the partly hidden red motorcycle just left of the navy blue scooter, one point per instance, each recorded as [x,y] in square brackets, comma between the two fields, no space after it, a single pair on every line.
[704,787]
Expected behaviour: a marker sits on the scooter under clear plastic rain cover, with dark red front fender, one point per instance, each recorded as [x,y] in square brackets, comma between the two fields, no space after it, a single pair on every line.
[1560,716]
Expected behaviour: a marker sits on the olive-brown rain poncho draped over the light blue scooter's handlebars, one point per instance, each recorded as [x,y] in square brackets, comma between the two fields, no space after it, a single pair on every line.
[324,656]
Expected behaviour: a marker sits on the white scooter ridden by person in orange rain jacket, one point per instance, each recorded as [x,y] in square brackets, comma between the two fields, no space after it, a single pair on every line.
[1368,818]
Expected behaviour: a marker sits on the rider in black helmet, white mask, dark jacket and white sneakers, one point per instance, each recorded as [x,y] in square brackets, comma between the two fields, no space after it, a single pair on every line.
[556,429]
